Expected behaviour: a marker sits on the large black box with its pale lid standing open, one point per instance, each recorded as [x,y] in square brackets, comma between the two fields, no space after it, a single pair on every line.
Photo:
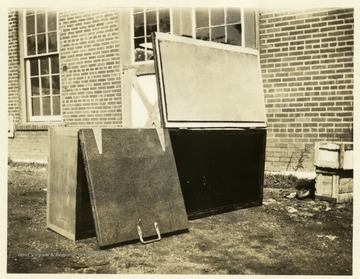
[211,100]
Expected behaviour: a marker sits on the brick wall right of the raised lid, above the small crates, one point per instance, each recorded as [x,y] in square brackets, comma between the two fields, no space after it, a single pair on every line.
[307,65]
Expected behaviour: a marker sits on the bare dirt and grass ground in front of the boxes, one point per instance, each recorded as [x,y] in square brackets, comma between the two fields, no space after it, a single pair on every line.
[282,237]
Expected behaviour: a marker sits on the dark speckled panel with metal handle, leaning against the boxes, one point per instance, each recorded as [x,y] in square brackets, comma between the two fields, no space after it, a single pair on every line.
[132,183]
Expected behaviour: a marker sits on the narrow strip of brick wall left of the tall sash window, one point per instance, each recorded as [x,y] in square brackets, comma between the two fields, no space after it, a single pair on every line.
[13,69]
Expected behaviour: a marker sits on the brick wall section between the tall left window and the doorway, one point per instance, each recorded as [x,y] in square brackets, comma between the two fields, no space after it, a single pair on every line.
[91,86]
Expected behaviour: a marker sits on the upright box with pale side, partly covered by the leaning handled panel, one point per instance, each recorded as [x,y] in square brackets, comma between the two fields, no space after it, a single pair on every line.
[68,203]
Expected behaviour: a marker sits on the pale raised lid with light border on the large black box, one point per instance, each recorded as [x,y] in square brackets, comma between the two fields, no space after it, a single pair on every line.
[207,84]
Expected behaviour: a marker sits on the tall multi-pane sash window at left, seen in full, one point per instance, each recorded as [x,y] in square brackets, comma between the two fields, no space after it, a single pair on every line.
[42,65]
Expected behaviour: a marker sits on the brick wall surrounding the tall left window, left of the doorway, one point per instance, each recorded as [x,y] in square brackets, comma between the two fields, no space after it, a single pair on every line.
[91,85]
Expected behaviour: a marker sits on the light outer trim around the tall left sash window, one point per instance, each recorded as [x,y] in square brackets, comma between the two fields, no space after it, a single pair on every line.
[26,58]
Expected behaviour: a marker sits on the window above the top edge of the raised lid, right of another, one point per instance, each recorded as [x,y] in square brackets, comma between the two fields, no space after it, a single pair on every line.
[219,25]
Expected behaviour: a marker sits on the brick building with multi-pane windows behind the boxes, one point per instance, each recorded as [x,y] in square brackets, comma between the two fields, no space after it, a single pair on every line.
[72,68]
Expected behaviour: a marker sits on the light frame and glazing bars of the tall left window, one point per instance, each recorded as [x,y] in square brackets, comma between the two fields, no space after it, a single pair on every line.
[25,59]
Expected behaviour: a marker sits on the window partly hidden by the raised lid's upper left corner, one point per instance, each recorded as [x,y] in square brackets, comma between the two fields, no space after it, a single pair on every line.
[146,21]
